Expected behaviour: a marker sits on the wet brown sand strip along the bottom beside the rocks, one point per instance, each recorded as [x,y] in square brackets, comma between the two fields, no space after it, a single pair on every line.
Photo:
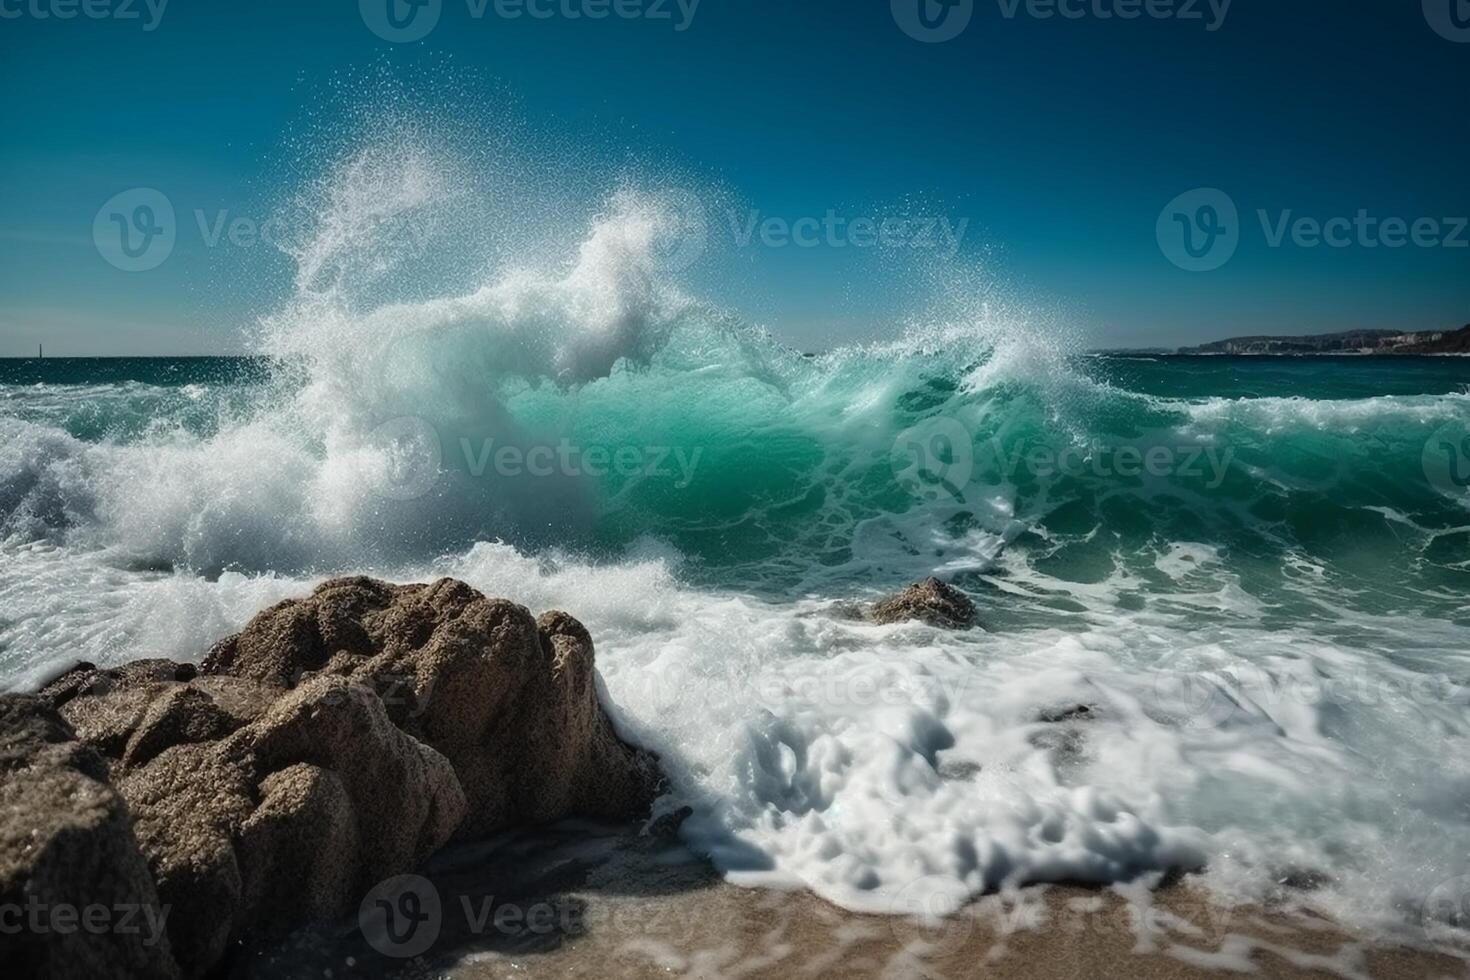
[596,903]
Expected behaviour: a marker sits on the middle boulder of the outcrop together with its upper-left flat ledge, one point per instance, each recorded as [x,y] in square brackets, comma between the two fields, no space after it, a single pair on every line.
[259,809]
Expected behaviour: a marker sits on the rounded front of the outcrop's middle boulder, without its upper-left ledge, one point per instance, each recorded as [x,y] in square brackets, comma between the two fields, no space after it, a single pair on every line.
[290,819]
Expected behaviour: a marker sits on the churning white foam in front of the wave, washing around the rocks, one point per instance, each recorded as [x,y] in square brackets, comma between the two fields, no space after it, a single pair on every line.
[865,762]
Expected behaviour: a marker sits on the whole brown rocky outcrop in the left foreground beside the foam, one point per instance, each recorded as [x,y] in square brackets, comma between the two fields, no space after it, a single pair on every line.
[336,743]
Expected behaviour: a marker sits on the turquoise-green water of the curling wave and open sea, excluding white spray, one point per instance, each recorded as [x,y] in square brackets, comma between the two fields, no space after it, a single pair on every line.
[783,465]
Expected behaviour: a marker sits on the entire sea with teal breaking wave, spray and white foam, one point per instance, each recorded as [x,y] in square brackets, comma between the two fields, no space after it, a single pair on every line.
[1225,602]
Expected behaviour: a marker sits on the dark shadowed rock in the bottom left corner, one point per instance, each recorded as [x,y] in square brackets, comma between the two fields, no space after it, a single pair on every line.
[70,865]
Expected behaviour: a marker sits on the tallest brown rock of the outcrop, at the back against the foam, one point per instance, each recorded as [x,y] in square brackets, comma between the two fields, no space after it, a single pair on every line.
[509,700]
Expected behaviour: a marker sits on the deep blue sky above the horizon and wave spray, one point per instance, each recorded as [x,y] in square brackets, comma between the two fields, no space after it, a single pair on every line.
[1059,142]
